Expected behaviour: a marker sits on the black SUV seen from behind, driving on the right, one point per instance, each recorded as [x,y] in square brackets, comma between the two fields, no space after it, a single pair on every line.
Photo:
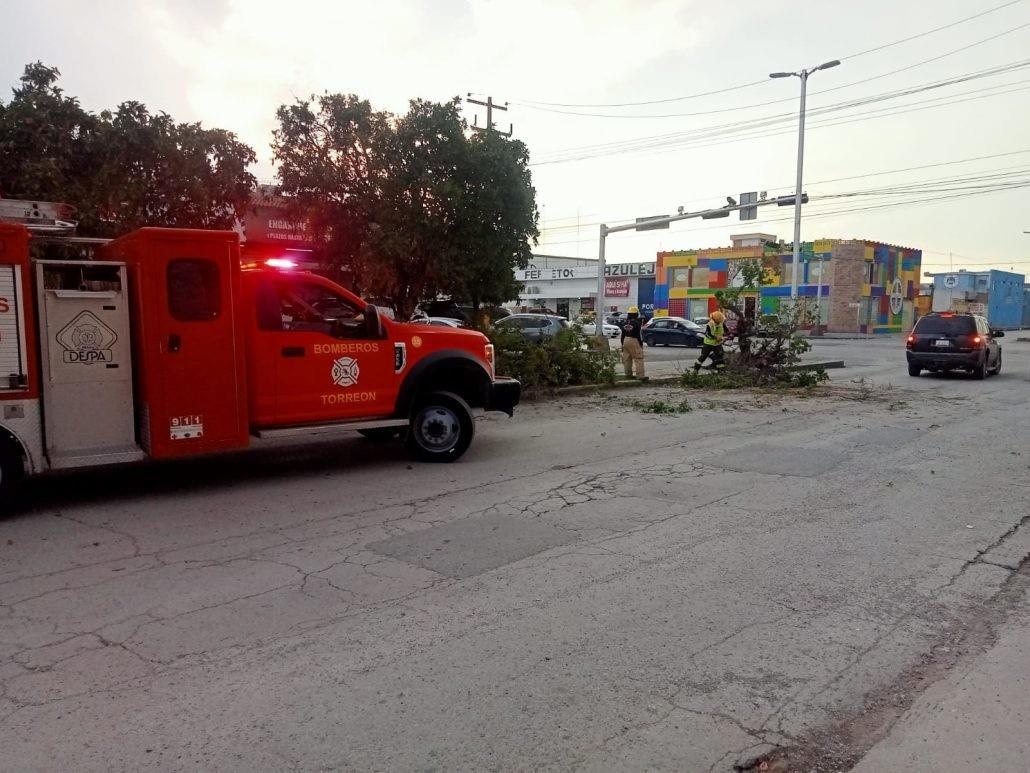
[946,341]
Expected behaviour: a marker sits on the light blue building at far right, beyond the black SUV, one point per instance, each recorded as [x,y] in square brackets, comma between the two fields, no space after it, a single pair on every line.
[1000,296]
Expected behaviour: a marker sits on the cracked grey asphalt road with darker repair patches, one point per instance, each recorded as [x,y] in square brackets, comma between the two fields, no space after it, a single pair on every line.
[591,588]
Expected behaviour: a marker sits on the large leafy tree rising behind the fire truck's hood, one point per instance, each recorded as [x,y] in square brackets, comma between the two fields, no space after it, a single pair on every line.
[413,207]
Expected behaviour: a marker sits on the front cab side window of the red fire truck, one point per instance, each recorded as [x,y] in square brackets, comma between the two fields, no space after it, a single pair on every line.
[310,308]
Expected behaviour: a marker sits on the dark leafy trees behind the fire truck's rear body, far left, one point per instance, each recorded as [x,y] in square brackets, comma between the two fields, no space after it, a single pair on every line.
[122,170]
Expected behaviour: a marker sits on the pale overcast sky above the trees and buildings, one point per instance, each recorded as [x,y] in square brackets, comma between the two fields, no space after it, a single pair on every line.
[231,63]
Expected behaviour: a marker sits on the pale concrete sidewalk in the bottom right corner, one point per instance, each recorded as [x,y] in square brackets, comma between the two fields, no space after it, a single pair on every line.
[978,719]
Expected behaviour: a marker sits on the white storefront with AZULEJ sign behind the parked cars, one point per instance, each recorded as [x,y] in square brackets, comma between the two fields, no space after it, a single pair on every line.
[569,286]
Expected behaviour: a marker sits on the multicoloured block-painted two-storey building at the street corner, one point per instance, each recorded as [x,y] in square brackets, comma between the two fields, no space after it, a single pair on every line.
[863,287]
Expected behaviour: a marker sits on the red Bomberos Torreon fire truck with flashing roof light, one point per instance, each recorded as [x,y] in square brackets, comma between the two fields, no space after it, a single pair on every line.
[164,346]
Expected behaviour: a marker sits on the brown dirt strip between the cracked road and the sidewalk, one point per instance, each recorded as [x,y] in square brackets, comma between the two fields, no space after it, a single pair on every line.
[842,746]
